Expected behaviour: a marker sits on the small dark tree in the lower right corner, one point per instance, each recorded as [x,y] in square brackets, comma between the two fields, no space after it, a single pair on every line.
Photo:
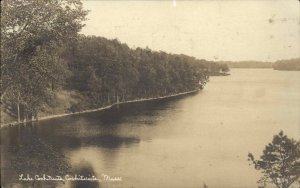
[280,162]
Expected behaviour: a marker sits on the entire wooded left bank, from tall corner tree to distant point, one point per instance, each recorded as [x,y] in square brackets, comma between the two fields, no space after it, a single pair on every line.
[48,68]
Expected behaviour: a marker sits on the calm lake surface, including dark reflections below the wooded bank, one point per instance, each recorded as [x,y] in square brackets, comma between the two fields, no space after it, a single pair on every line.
[183,142]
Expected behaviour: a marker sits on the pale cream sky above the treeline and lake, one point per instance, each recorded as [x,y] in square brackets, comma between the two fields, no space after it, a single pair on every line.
[265,30]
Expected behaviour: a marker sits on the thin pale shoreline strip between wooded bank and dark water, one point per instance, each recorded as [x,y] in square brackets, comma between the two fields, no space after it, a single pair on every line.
[98,109]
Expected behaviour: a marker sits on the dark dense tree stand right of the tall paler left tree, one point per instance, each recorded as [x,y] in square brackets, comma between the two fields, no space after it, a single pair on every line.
[107,70]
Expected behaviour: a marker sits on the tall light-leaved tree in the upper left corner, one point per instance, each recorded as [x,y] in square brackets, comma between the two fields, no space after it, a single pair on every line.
[32,33]
